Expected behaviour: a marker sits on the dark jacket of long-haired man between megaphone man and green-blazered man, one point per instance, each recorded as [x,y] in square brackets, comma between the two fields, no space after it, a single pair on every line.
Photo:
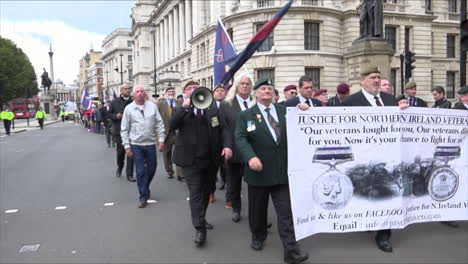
[231,113]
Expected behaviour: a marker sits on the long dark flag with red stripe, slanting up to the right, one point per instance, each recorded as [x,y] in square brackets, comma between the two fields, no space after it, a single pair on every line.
[236,63]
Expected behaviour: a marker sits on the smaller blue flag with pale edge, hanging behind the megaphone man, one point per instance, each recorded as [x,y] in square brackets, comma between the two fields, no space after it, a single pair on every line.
[224,51]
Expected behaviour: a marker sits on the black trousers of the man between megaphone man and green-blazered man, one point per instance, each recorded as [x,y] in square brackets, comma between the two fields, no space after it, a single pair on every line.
[234,185]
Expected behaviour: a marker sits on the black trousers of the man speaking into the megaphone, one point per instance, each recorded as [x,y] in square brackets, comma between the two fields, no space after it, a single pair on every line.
[199,179]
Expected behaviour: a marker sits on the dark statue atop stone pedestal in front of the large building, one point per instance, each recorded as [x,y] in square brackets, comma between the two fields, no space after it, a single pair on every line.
[371,19]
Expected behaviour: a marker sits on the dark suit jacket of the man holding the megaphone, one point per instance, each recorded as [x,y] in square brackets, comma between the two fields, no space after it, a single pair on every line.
[186,142]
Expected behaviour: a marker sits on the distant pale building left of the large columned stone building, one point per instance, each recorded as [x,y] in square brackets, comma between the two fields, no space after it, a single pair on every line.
[117,58]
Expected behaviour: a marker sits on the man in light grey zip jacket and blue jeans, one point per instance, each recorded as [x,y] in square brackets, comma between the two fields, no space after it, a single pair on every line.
[141,123]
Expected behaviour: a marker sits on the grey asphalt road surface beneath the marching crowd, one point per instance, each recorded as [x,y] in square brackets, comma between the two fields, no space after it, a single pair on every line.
[60,202]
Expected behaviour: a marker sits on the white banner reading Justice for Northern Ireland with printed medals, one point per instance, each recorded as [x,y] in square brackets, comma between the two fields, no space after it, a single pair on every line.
[370,168]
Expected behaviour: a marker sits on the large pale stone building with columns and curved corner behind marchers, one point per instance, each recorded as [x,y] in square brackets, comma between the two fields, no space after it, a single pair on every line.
[312,39]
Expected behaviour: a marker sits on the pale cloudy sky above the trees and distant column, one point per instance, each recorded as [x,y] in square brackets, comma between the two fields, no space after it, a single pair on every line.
[72,27]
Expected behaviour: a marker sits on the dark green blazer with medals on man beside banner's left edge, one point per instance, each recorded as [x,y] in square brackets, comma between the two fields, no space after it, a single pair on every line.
[260,143]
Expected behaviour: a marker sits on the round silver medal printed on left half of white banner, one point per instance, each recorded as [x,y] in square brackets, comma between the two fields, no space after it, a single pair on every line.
[333,189]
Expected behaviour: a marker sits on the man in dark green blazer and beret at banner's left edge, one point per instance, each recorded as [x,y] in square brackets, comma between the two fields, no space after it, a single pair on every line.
[262,143]
